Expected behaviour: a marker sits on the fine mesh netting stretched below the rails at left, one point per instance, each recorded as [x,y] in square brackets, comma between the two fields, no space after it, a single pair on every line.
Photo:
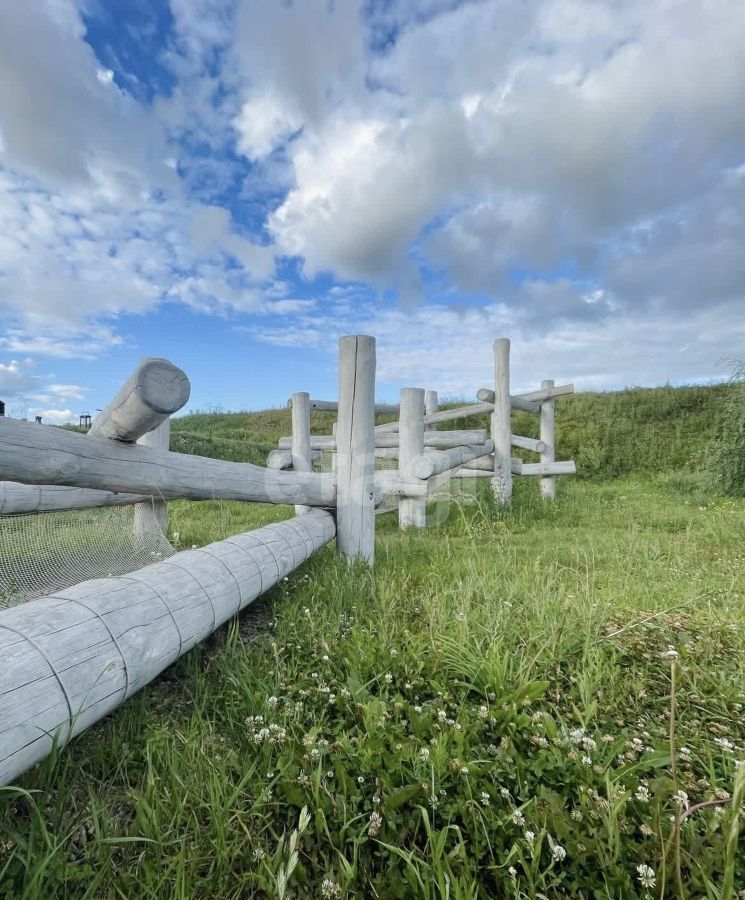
[41,553]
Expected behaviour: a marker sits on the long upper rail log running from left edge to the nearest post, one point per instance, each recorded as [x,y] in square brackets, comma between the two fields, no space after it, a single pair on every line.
[43,454]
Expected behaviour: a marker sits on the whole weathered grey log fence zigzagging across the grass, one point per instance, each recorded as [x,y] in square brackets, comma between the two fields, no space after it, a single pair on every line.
[72,658]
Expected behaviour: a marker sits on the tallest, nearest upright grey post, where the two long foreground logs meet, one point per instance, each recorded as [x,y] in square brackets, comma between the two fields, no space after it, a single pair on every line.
[355,445]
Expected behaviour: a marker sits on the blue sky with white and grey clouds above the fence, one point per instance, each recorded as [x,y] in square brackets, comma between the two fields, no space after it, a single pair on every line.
[233,184]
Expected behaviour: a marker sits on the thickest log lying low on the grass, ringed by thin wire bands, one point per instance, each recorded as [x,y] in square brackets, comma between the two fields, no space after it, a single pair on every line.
[71,659]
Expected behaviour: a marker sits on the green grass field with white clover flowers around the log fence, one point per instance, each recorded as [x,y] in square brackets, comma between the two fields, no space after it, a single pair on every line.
[532,703]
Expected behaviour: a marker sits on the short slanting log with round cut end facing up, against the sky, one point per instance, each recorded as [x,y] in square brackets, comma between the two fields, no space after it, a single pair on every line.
[154,391]
